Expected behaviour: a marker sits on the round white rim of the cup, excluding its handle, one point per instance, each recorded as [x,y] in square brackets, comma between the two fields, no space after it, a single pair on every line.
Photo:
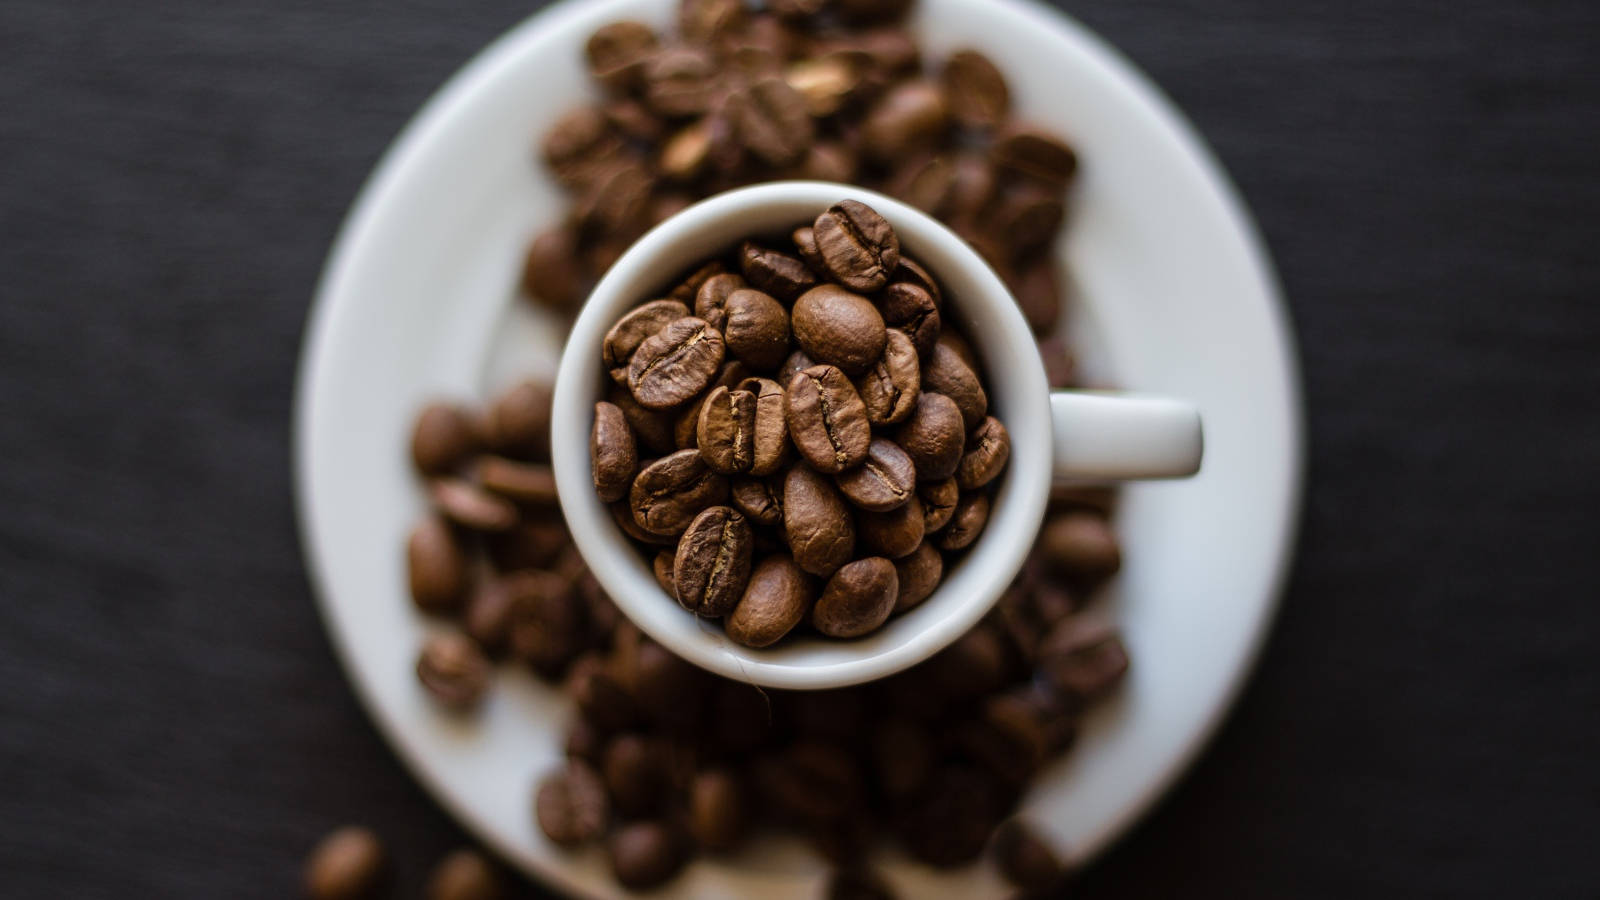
[967,592]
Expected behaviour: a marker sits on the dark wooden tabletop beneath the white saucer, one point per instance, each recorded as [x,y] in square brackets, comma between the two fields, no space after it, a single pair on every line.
[1426,720]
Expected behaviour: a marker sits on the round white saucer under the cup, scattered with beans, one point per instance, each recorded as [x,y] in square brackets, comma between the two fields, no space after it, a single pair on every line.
[1172,284]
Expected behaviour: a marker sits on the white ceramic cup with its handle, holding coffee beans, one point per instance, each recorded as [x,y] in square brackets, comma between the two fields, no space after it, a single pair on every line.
[1055,436]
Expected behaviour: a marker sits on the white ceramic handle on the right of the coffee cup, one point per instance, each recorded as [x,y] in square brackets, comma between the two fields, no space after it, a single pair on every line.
[1124,436]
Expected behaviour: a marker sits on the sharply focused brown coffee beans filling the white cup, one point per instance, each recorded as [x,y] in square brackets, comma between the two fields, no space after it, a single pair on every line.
[831,444]
